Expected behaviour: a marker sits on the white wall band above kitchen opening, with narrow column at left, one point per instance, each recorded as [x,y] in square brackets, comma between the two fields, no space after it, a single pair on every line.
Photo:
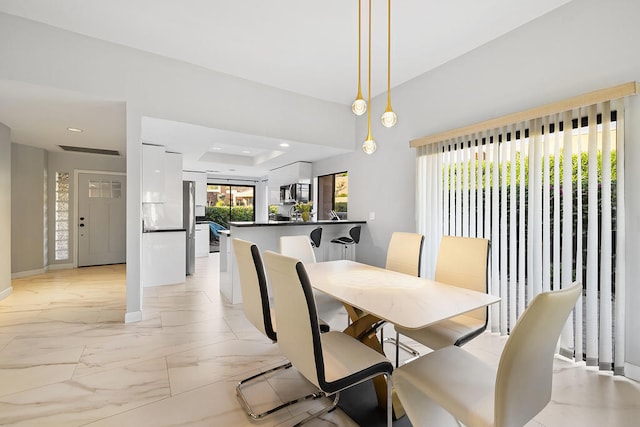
[155,86]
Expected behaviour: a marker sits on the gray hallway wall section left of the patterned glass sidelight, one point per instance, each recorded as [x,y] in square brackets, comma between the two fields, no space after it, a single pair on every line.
[28,168]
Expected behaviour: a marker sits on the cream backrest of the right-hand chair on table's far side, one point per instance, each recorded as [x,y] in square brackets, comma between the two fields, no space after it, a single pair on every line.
[462,261]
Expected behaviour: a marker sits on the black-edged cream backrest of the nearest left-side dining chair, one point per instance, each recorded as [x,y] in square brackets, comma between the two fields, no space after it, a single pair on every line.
[296,315]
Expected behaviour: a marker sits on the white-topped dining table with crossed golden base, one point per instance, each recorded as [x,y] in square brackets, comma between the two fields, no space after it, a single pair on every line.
[374,295]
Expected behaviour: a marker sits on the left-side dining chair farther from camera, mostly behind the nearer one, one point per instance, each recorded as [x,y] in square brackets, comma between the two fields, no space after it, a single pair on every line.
[257,309]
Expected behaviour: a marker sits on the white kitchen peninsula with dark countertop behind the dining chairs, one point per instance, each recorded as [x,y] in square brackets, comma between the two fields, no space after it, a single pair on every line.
[267,237]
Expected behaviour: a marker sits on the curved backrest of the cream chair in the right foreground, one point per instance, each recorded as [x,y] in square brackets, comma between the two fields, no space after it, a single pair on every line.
[523,381]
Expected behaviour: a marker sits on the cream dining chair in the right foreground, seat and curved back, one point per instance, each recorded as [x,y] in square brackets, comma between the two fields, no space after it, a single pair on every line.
[451,386]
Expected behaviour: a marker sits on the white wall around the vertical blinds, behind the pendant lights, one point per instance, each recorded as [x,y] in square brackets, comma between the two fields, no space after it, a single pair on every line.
[578,48]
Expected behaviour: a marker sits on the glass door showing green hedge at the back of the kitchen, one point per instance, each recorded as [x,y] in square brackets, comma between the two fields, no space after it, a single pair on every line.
[230,203]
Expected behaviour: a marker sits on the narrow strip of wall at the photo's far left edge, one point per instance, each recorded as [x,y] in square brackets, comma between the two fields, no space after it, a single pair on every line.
[5,211]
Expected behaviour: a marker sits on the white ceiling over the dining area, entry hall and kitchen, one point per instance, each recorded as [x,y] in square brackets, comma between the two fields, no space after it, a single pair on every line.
[252,39]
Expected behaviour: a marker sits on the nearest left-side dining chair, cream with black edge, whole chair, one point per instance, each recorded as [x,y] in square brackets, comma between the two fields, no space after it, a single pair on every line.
[333,361]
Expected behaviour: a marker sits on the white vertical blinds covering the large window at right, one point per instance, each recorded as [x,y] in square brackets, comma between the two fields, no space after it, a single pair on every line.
[548,193]
